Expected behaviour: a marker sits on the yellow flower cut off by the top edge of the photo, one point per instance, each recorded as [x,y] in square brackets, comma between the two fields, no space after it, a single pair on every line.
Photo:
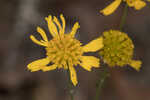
[137,4]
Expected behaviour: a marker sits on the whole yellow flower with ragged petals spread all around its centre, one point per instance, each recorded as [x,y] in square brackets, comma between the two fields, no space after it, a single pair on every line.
[64,51]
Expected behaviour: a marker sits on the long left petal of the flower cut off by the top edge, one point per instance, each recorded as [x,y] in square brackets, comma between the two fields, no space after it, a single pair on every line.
[111,8]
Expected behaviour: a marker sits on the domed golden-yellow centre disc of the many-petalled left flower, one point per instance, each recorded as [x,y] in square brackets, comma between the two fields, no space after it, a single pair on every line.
[62,50]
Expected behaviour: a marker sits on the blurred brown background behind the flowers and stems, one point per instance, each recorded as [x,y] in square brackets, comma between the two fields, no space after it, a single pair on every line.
[19,19]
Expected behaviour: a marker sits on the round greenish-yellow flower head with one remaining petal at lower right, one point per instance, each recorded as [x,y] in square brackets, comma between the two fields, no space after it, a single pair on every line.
[118,49]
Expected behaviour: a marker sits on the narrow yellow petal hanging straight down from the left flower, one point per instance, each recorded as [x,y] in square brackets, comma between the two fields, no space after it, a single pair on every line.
[73,75]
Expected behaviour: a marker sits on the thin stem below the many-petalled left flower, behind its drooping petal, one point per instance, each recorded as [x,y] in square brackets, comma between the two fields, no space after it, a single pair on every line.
[71,87]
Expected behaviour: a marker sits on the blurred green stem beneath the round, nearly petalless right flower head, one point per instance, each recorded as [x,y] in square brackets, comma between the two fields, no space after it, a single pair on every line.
[101,81]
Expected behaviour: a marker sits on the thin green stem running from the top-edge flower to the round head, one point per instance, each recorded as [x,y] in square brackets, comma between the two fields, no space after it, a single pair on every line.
[123,18]
